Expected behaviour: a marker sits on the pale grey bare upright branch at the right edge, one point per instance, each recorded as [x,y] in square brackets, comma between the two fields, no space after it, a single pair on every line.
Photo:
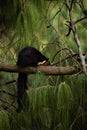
[75,35]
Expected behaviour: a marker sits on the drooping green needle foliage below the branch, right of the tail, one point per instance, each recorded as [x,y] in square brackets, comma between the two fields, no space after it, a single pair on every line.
[55,107]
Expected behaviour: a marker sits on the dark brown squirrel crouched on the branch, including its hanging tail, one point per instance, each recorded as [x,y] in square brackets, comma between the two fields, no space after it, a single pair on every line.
[28,56]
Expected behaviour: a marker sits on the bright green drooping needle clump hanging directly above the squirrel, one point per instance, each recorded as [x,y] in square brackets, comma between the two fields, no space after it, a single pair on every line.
[28,23]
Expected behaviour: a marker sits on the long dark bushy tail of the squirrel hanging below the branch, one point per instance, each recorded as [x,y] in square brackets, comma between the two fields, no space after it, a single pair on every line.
[21,89]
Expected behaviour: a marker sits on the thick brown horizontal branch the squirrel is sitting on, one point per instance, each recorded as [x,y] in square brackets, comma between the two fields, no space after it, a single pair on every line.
[48,70]
